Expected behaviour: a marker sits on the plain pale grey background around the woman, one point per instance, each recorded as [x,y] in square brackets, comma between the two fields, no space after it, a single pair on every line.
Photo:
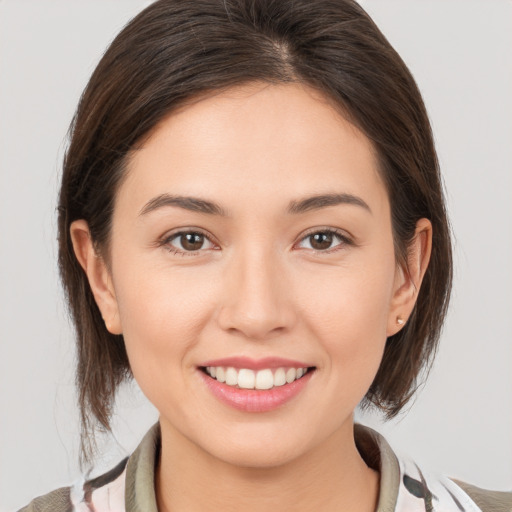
[461,55]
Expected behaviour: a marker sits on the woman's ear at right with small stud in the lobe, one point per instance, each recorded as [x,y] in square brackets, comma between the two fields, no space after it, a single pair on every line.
[408,278]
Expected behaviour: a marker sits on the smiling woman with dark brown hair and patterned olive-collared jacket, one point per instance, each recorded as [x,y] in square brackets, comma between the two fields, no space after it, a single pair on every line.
[252,225]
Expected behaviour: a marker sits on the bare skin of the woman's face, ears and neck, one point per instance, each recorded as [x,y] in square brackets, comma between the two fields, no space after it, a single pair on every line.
[258,288]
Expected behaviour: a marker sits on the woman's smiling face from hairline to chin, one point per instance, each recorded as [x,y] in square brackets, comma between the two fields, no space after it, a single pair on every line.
[253,232]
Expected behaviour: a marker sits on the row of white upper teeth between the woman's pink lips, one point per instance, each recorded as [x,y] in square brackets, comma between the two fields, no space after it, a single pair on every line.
[264,379]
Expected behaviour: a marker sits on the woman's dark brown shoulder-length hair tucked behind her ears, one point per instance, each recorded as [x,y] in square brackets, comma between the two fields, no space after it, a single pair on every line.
[175,50]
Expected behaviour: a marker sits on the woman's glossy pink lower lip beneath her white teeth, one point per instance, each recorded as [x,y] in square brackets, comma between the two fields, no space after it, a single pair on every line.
[255,400]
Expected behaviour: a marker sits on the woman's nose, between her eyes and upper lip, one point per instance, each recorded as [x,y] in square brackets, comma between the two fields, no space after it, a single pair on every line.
[257,296]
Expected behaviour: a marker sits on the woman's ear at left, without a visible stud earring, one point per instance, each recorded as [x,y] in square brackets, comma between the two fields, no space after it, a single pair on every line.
[98,275]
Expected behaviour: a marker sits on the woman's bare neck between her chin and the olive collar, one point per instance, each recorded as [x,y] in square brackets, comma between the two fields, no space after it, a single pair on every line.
[330,477]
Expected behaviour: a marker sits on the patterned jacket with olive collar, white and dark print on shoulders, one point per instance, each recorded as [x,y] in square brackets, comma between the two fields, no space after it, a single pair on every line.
[129,487]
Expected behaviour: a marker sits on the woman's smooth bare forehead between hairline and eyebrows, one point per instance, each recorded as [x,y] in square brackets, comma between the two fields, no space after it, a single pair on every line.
[253,141]
